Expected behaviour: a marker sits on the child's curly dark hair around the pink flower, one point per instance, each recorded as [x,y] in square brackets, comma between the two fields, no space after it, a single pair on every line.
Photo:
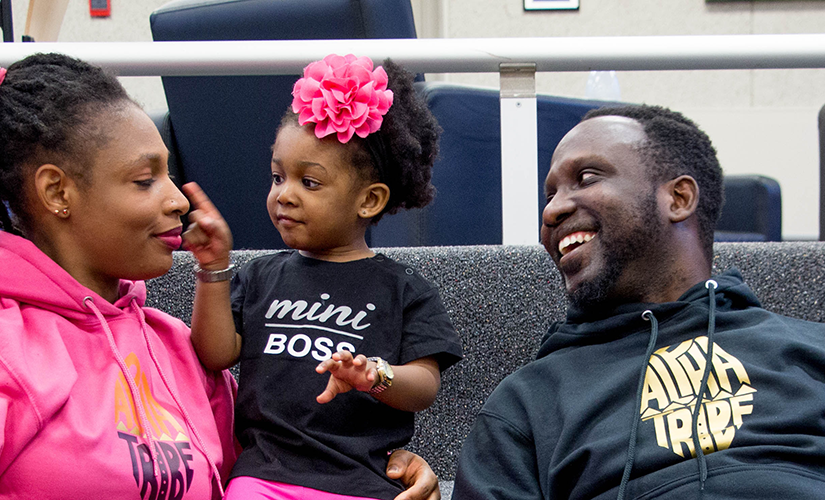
[401,153]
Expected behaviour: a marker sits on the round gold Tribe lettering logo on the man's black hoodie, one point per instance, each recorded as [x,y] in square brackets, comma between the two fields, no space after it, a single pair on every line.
[672,382]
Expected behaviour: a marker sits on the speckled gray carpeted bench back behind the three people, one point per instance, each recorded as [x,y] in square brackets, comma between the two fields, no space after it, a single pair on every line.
[502,299]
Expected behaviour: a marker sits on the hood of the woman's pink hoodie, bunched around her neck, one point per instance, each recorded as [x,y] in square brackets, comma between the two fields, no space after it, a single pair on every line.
[31,277]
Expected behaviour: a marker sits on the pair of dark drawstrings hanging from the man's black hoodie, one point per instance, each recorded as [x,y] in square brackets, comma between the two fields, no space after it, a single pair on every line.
[711,285]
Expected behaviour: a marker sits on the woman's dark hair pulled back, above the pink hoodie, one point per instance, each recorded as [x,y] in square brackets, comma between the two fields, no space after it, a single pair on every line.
[49,107]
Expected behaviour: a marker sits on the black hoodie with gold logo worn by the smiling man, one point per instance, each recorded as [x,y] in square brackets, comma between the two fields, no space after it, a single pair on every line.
[601,402]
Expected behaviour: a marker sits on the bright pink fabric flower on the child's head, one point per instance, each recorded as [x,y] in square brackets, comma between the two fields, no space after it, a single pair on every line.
[342,95]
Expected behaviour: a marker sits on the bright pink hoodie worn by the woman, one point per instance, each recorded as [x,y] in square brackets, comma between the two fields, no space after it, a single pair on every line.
[71,367]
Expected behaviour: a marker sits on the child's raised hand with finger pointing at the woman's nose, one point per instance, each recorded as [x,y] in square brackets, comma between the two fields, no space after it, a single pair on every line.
[208,236]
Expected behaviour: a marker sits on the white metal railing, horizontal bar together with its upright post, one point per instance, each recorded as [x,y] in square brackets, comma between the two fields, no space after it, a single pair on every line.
[457,55]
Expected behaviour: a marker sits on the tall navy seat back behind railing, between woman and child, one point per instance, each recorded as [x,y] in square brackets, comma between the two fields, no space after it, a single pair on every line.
[223,126]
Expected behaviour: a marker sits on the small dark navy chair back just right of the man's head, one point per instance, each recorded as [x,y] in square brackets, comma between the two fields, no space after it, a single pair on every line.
[752,209]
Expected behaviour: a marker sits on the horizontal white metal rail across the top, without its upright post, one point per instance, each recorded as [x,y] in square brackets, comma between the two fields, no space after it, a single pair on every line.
[449,55]
